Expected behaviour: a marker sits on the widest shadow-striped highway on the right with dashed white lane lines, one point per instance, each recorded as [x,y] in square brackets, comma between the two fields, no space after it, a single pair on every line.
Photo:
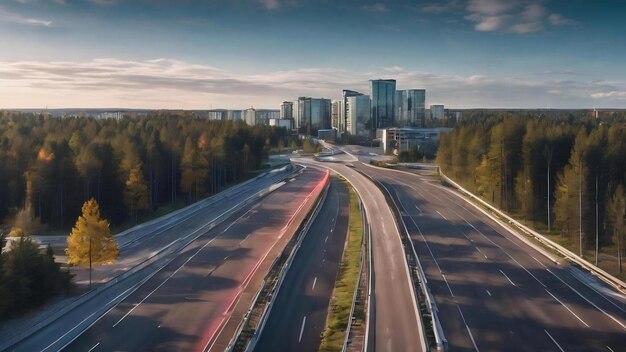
[494,291]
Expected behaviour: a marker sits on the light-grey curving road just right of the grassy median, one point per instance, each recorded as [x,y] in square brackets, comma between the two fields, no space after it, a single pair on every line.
[394,324]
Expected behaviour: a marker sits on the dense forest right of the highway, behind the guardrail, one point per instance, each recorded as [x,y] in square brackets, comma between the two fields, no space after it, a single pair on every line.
[531,163]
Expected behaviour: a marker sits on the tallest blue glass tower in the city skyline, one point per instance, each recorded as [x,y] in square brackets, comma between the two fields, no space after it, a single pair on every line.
[383,94]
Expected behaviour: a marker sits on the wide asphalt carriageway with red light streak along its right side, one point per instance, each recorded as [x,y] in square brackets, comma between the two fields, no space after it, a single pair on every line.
[183,306]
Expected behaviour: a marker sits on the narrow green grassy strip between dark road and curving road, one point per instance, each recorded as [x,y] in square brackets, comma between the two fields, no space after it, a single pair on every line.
[341,301]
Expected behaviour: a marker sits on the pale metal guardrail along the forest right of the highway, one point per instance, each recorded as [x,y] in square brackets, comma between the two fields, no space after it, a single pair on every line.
[606,277]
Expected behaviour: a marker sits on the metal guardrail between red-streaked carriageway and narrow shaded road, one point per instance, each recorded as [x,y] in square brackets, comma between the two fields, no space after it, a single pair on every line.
[281,276]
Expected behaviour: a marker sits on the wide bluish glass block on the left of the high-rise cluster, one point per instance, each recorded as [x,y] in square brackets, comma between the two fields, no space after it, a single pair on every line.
[312,114]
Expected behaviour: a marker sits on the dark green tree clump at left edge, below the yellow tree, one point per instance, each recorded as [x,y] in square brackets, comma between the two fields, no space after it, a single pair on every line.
[28,277]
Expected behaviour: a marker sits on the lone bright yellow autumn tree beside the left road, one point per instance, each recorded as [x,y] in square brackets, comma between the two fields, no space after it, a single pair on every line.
[91,242]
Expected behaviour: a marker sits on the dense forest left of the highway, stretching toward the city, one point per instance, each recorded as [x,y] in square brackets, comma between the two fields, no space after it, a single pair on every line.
[51,166]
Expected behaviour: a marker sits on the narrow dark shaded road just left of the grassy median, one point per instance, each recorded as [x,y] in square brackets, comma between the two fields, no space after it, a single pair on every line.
[300,309]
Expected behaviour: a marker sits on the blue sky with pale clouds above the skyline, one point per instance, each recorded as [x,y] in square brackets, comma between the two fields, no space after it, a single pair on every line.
[203,54]
